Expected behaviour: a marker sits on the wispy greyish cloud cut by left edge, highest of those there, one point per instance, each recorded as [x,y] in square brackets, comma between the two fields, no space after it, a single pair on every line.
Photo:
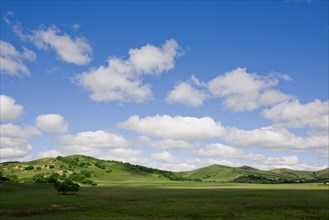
[11,61]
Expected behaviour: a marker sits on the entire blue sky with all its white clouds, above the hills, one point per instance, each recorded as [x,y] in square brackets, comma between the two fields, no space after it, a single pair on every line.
[174,85]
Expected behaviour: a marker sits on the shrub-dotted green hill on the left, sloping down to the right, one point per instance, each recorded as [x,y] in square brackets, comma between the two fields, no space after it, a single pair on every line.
[86,170]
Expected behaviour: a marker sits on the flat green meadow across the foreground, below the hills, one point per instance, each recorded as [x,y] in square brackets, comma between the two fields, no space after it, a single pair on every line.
[167,201]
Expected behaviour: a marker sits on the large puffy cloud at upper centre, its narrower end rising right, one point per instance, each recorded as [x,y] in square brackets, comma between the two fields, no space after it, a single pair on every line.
[121,80]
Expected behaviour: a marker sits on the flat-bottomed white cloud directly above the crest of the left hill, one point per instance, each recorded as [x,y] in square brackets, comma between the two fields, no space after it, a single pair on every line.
[94,139]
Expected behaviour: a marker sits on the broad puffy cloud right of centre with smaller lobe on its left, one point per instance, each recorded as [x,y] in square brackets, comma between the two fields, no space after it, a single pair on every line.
[241,91]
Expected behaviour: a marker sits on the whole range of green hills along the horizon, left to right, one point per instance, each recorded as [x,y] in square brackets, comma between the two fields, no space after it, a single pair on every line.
[92,171]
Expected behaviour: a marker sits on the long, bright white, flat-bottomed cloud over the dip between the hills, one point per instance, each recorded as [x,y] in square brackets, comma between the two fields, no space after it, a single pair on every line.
[176,128]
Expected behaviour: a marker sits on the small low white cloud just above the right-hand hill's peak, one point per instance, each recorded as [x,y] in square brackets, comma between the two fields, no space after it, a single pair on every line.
[219,150]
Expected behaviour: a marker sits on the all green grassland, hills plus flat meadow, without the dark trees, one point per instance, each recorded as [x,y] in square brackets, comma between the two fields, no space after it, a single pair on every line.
[126,191]
